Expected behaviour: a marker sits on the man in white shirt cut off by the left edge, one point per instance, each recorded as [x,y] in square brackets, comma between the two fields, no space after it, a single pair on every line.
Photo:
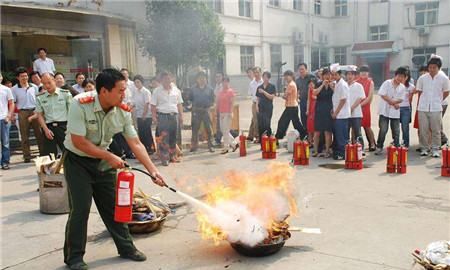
[6,117]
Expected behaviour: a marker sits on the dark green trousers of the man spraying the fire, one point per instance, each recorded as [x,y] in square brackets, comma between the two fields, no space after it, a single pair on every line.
[85,181]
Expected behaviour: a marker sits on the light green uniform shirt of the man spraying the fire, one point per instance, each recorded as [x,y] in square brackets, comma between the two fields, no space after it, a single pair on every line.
[88,119]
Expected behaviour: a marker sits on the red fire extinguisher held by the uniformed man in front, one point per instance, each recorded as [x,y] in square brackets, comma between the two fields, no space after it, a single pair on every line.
[124,196]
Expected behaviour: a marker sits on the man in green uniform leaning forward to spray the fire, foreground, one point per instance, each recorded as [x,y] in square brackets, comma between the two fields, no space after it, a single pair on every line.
[90,170]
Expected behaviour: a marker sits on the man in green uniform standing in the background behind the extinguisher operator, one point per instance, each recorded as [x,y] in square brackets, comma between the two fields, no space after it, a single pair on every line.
[52,108]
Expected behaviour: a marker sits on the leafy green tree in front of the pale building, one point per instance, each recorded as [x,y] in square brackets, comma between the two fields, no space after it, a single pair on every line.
[182,34]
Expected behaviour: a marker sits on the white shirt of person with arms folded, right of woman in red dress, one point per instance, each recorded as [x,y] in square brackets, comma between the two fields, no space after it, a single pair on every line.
[396,93]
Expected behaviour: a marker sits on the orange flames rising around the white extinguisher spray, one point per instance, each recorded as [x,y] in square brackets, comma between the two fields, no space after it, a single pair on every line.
[265,195]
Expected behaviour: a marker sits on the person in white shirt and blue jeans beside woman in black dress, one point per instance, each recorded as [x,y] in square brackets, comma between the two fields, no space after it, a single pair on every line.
[341,112]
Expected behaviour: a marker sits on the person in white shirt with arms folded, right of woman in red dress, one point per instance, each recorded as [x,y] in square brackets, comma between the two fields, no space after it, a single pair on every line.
[392,93]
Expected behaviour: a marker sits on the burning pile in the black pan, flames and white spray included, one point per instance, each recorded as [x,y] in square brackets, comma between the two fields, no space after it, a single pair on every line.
[250,209]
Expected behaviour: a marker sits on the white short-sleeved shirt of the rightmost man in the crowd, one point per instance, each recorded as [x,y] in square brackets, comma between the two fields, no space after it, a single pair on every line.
[432,90]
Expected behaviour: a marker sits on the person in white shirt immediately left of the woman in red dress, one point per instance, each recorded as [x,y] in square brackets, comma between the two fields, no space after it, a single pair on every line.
[356,96]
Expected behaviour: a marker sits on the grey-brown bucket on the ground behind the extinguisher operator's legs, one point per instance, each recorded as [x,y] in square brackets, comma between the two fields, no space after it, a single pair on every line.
[53,197]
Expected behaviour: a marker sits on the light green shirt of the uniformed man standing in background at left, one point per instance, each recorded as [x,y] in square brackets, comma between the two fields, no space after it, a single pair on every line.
[55,107]
